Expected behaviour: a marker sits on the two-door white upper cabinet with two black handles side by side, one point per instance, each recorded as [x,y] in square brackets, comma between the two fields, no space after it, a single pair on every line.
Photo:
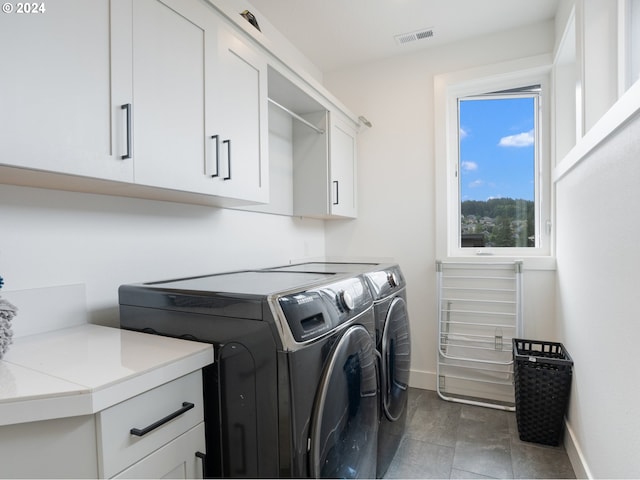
[198,103]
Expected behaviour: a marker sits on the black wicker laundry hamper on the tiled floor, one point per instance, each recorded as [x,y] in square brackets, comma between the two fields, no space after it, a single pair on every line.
[542,380]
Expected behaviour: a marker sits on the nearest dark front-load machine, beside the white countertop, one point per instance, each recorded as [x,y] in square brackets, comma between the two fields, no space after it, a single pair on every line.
[293,391]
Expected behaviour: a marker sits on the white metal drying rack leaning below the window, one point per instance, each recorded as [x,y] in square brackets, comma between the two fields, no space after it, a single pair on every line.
[479,313]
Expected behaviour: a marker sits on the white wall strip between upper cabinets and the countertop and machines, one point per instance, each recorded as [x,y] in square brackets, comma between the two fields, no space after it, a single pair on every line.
[50,238]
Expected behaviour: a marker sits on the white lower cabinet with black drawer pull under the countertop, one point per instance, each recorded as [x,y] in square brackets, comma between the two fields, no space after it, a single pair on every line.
[157,434]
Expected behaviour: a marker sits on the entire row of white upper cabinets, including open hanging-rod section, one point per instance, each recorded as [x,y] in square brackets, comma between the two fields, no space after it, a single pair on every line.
[168,100]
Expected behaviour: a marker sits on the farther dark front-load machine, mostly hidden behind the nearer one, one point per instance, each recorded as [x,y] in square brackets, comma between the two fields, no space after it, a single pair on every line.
[393,343]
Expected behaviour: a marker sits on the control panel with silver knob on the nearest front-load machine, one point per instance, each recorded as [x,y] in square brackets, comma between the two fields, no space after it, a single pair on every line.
[313,313]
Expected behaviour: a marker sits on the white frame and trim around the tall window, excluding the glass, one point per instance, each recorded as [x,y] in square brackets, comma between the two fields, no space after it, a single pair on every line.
[448,88]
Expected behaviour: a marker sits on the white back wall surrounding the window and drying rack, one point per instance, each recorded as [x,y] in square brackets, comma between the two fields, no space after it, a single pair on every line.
[396,183]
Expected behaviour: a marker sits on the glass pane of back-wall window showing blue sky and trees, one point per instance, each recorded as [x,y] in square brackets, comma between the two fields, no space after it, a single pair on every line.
[497,161]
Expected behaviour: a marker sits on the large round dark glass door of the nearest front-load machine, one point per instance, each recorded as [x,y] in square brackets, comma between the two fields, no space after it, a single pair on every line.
[344,427]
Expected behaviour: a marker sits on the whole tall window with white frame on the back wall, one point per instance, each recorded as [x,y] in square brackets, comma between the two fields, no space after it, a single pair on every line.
[493,185]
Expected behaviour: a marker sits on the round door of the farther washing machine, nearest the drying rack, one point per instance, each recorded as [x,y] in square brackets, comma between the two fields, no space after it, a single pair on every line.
[396,357]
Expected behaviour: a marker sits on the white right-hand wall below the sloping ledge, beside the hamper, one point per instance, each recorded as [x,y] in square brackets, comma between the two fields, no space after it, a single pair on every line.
[598,207]
